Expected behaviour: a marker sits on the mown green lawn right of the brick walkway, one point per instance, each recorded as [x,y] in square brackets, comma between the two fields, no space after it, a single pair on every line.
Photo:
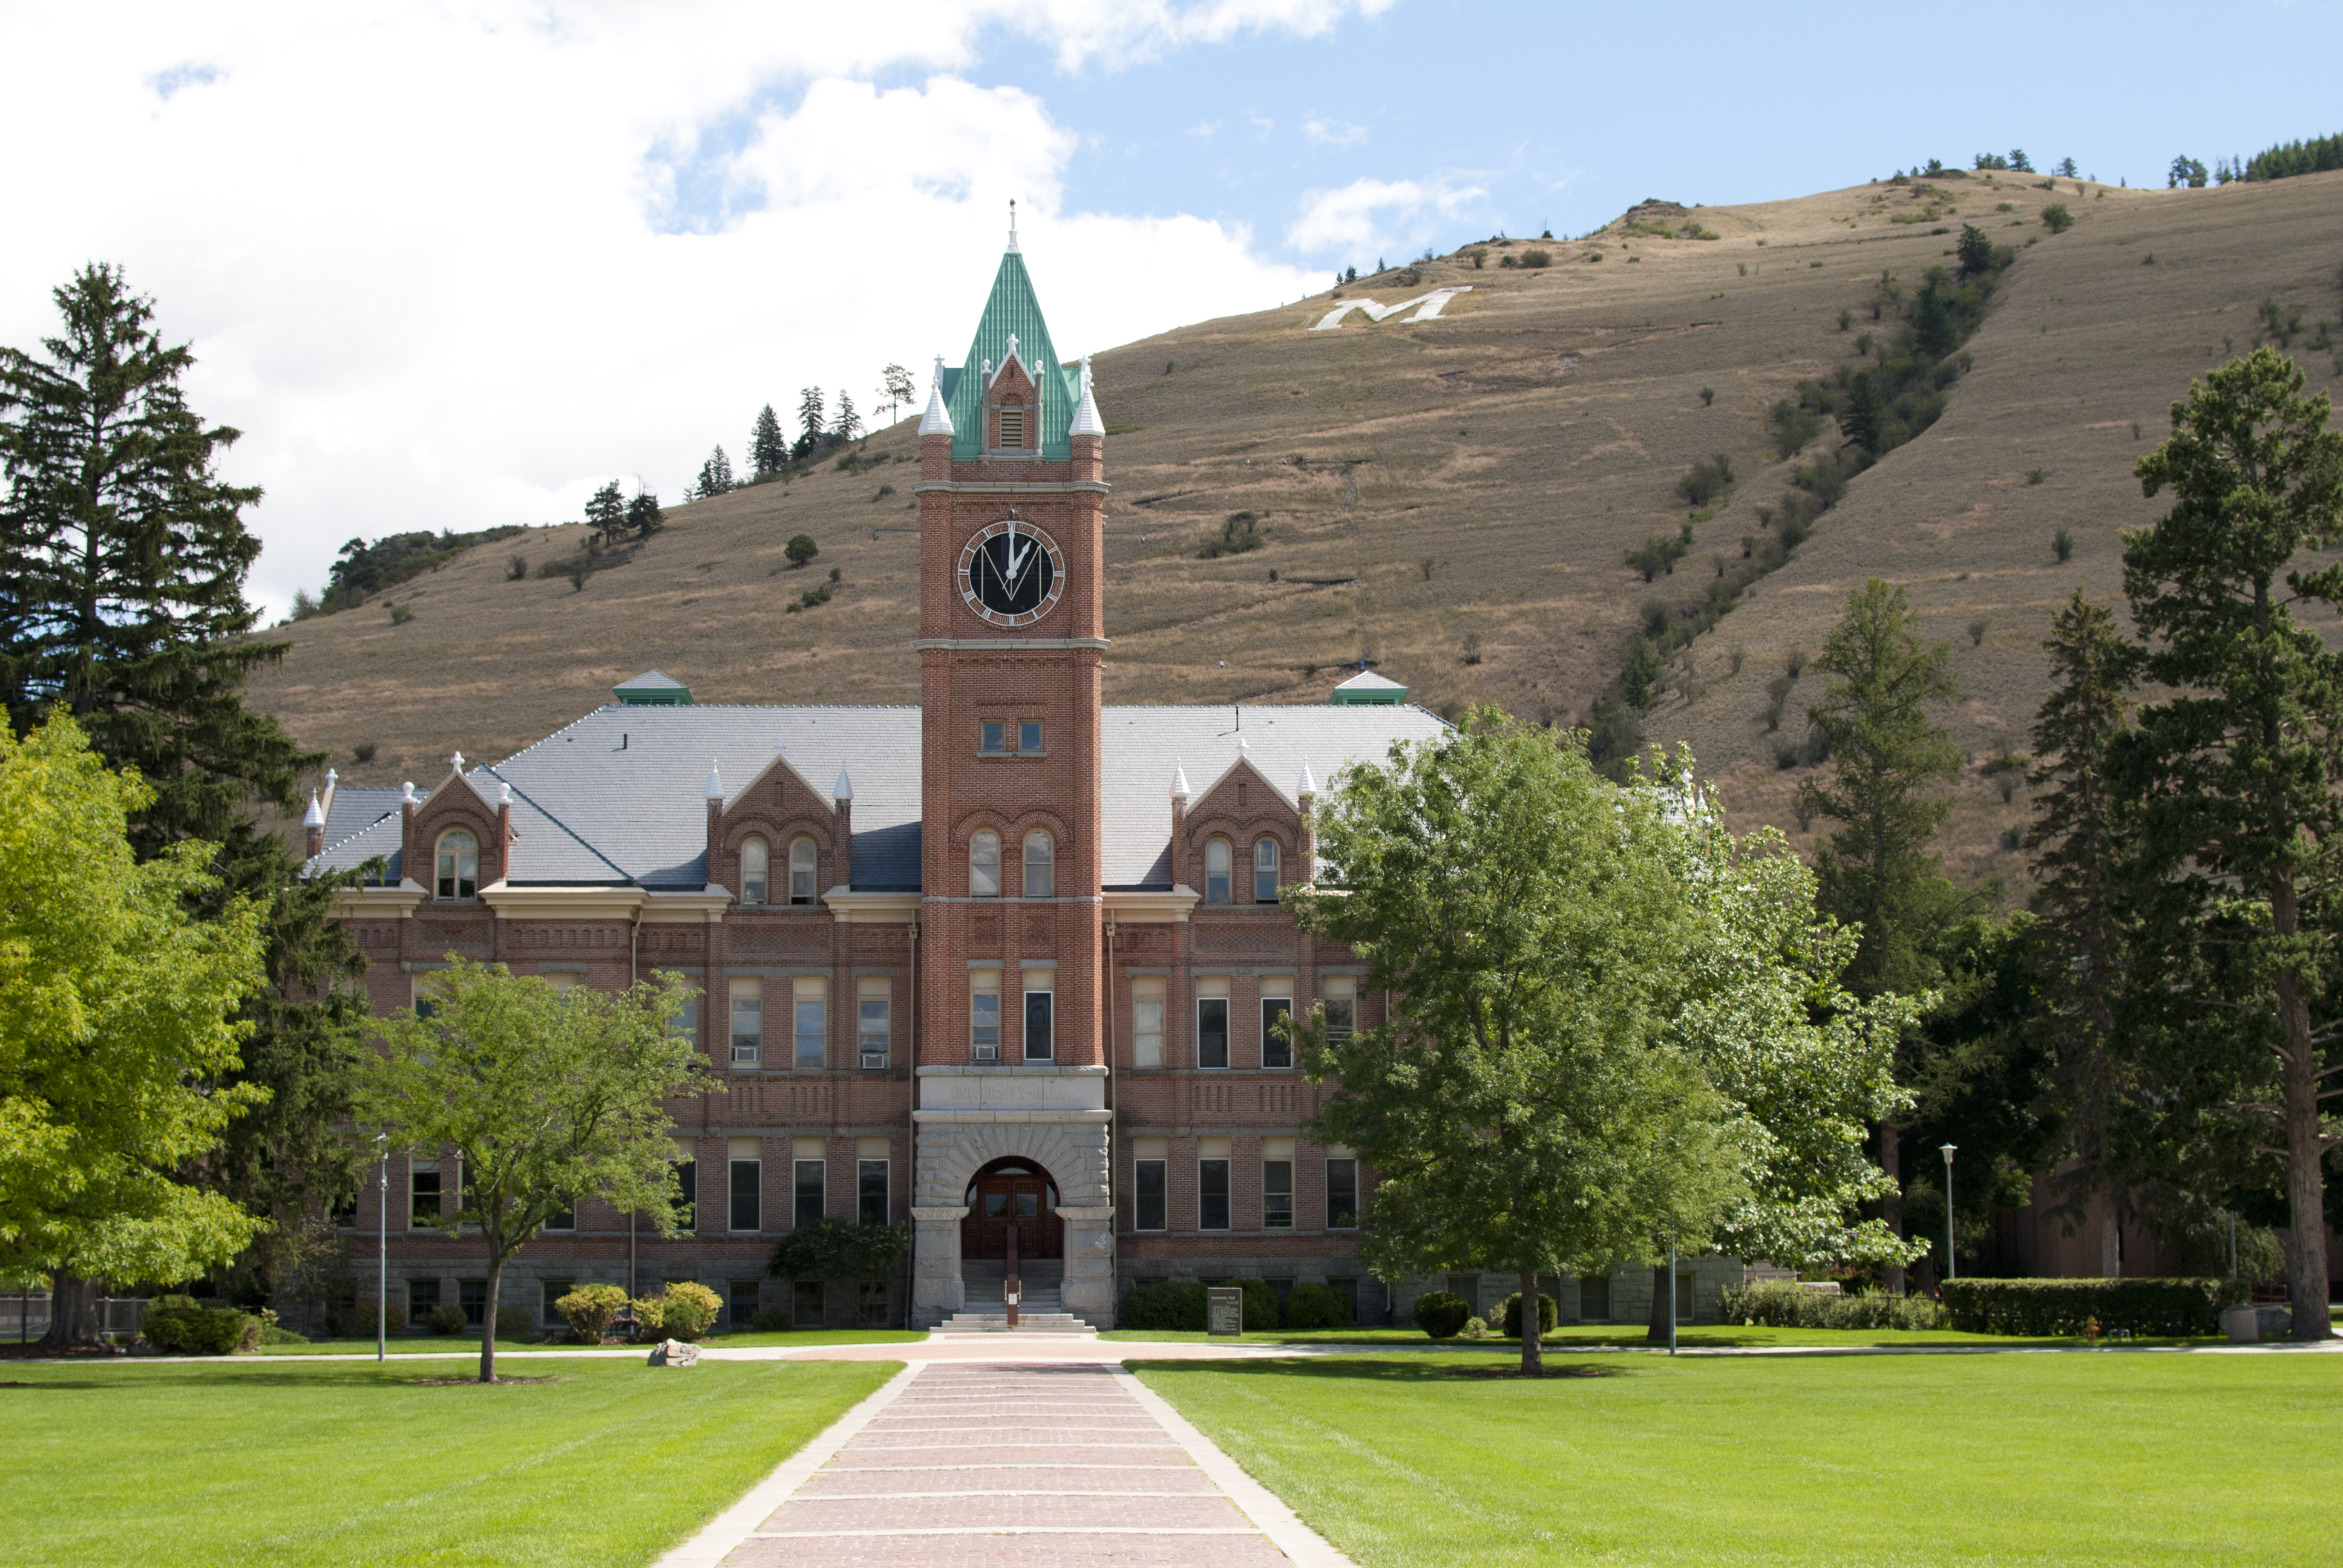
[2026,1459]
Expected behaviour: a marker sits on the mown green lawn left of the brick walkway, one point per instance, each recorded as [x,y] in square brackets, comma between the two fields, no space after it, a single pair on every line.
[334,1464]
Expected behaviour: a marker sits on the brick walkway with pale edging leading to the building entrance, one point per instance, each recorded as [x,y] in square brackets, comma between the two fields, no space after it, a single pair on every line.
[1048,1466]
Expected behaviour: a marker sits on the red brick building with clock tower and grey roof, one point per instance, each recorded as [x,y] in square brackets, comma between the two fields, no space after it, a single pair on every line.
[988,964]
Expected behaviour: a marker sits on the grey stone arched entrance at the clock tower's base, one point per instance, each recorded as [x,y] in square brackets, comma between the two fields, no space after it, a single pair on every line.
[1048,1119]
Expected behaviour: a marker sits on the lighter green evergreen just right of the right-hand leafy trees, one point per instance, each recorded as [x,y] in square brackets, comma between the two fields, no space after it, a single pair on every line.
[1878,871]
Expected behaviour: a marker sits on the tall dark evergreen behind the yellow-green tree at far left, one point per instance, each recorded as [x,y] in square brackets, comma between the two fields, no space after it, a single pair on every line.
[123,564]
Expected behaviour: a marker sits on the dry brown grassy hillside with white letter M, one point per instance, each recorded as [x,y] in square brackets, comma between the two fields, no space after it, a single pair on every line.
[1456,498]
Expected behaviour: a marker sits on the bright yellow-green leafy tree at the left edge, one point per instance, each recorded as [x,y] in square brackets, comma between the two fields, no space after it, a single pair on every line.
[118,1028]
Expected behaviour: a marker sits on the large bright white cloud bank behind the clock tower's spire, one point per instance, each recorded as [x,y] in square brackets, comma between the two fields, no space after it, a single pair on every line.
[456,266]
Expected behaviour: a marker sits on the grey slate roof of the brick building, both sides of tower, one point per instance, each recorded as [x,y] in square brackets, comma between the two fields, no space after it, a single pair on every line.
[620,796]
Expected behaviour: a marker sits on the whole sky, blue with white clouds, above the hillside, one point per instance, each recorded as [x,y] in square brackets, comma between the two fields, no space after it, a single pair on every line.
[463,264]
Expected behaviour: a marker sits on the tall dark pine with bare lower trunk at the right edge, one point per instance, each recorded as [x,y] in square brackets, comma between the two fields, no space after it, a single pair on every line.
[2239,765]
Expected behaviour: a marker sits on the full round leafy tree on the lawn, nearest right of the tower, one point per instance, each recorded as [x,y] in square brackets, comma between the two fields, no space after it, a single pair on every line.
[1526,1105]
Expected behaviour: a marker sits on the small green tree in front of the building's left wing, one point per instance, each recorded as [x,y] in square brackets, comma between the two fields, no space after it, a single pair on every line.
[545,1096]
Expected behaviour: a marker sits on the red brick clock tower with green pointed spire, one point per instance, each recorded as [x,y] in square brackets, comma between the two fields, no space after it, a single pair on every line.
[1011,1063]
